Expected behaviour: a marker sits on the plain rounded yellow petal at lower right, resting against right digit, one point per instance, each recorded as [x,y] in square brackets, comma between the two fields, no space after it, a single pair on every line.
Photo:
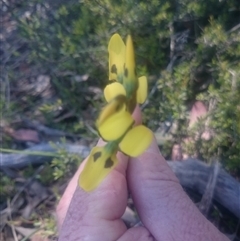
[136,141]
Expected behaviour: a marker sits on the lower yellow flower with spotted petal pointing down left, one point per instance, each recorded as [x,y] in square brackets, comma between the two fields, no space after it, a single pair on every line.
[115,125]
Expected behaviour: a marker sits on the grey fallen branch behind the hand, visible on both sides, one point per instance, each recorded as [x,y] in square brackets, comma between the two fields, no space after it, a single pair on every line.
[192,173]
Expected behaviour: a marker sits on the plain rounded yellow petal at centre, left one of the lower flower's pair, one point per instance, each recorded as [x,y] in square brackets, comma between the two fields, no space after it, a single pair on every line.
[115,126]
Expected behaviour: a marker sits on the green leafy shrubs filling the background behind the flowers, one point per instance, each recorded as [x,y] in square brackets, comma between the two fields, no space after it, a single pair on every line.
[70,38]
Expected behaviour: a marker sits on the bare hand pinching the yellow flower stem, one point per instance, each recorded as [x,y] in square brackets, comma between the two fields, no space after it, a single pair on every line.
[165,210]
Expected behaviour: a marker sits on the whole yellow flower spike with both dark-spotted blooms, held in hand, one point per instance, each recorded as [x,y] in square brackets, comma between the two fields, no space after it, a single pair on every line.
[115,124]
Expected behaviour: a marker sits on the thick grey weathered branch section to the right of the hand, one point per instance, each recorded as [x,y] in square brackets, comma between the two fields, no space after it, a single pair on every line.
[194,174]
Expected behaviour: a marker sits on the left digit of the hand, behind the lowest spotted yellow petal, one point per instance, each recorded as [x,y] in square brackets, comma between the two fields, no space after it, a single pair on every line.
[96,214]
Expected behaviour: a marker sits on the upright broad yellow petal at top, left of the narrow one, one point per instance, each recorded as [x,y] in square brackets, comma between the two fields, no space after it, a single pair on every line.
[117,50]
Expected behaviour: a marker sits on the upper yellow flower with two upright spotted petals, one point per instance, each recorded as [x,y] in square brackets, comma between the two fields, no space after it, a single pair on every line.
[122,69]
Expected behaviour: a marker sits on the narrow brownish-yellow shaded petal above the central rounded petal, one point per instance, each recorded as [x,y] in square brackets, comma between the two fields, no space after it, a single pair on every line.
[115,105]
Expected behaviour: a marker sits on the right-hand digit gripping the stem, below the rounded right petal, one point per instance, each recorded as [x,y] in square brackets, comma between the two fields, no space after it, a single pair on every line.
[164,208]
